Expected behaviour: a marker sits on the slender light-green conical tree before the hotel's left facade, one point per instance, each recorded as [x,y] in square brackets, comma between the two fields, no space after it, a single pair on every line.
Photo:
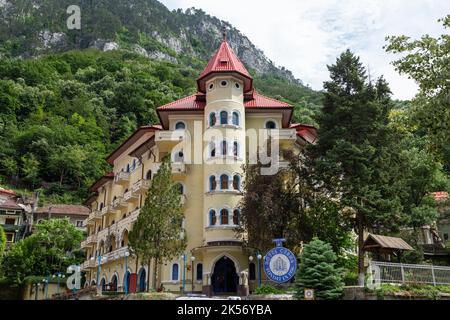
[158,233]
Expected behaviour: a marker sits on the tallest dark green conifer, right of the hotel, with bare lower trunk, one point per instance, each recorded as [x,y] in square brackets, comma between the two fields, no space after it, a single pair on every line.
[353,158]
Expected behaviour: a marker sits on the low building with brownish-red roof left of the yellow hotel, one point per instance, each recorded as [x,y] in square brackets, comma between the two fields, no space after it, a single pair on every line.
[75,213]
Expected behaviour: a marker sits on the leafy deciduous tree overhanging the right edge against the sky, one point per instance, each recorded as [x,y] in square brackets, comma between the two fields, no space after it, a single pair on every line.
[426,61]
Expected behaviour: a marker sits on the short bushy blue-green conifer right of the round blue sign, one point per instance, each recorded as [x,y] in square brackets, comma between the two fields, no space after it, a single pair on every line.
[318,271]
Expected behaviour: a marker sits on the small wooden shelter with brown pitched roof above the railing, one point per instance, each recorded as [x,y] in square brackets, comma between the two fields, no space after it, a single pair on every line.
[386,248]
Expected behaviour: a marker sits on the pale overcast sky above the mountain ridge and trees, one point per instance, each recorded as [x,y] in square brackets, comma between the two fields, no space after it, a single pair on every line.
[306,35]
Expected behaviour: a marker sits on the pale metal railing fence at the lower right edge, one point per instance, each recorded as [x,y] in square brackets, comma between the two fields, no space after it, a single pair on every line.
[385,272]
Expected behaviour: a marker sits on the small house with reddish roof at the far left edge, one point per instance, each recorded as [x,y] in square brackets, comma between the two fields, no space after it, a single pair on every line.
[12,216]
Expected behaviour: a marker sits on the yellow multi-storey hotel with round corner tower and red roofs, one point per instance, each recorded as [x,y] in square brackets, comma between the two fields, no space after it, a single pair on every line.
[210,135]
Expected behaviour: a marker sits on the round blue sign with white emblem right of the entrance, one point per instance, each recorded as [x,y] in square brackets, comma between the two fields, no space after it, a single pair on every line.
[280,265]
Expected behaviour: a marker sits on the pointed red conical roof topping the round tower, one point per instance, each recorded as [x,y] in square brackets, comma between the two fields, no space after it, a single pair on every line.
[225,61]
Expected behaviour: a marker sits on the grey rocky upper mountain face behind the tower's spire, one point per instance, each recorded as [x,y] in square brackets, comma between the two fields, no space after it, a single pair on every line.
[33,27]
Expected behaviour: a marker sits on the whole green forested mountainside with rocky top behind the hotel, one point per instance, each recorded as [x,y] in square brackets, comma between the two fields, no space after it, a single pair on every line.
[69,97]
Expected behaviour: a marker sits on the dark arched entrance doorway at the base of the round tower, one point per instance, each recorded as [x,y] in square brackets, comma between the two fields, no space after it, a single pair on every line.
[224,279]
